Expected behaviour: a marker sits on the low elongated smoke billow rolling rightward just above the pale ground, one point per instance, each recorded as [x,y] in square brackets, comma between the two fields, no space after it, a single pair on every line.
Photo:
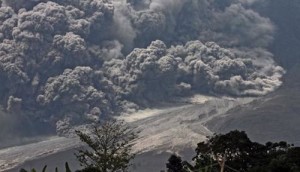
[159,72]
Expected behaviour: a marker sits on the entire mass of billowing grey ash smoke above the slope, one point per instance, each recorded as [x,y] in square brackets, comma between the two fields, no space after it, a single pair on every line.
[70,61]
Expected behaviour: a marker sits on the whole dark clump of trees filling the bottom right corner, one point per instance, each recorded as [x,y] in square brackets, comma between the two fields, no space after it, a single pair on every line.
[234,151]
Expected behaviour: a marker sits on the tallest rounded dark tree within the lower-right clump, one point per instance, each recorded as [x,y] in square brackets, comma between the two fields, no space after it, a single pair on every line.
[231,149]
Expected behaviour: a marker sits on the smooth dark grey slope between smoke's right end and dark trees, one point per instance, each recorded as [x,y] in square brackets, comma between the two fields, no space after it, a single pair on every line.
[271,118]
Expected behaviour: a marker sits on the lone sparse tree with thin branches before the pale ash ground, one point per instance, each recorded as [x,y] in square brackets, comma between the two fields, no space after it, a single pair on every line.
[109,146]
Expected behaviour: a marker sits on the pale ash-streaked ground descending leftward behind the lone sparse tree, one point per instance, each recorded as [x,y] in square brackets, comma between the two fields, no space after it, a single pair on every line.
[164,130]
